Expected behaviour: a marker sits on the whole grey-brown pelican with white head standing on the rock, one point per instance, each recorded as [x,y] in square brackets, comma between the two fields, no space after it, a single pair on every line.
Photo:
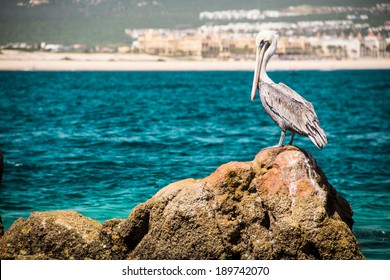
[287,108]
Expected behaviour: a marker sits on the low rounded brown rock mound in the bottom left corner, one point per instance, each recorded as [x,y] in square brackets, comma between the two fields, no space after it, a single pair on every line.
[57,234]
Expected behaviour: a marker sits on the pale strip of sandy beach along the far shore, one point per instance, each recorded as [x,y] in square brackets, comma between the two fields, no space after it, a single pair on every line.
[44,61]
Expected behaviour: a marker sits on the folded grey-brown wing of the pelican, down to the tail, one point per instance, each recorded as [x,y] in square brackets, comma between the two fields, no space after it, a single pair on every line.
[294,111]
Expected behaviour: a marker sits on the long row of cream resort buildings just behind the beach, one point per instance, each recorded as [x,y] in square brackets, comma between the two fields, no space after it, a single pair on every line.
[232,44]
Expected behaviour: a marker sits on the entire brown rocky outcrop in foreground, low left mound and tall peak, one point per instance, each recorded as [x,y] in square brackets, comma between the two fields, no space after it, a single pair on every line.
[279,206]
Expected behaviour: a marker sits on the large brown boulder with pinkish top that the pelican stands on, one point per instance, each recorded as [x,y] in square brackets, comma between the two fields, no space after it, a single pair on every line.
[279,206]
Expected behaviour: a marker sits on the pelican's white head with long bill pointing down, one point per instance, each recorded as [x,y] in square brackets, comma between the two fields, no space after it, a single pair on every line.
[266,42]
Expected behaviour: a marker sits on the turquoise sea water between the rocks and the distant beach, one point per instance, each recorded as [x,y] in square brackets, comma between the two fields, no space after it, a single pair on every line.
[103,142]
